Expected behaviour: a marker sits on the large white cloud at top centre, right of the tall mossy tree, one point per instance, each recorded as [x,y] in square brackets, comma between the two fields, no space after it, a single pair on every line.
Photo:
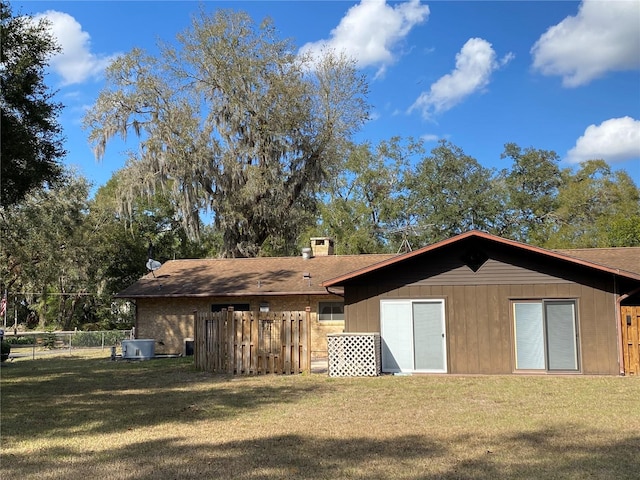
[371,31]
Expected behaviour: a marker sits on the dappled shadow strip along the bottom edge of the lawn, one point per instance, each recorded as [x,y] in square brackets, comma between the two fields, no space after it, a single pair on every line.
[308,457]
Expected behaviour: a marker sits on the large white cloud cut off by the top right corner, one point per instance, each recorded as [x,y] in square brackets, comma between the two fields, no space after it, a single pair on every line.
[602,37]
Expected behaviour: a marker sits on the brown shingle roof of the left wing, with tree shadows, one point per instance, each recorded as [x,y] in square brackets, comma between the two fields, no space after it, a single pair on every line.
[246,276]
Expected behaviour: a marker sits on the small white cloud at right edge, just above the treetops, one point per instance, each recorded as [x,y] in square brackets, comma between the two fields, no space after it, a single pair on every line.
[614,140]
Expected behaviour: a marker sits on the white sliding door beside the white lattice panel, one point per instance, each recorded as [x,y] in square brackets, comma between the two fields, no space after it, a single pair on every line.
[413,336]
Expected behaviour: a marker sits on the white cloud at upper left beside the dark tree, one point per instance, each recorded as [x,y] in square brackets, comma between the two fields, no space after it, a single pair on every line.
[76,63]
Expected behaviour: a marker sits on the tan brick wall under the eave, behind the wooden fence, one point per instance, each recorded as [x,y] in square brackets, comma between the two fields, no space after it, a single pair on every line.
[169,321]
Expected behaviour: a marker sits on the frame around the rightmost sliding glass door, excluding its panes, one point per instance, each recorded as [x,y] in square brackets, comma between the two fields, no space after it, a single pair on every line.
[544,304]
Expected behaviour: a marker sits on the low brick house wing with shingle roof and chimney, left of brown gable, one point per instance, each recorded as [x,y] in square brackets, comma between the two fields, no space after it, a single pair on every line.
[167,298]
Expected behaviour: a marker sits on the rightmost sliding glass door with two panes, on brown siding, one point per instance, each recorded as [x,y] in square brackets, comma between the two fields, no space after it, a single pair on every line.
[545,335]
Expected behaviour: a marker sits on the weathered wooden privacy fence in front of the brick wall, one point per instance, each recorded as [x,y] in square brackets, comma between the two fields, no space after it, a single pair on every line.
[245,343]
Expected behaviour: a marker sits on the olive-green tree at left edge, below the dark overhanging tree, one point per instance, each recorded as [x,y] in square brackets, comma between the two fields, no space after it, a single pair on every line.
[45,252]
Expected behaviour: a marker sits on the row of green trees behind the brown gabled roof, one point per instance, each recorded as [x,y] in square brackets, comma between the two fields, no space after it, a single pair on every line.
[380,198]
